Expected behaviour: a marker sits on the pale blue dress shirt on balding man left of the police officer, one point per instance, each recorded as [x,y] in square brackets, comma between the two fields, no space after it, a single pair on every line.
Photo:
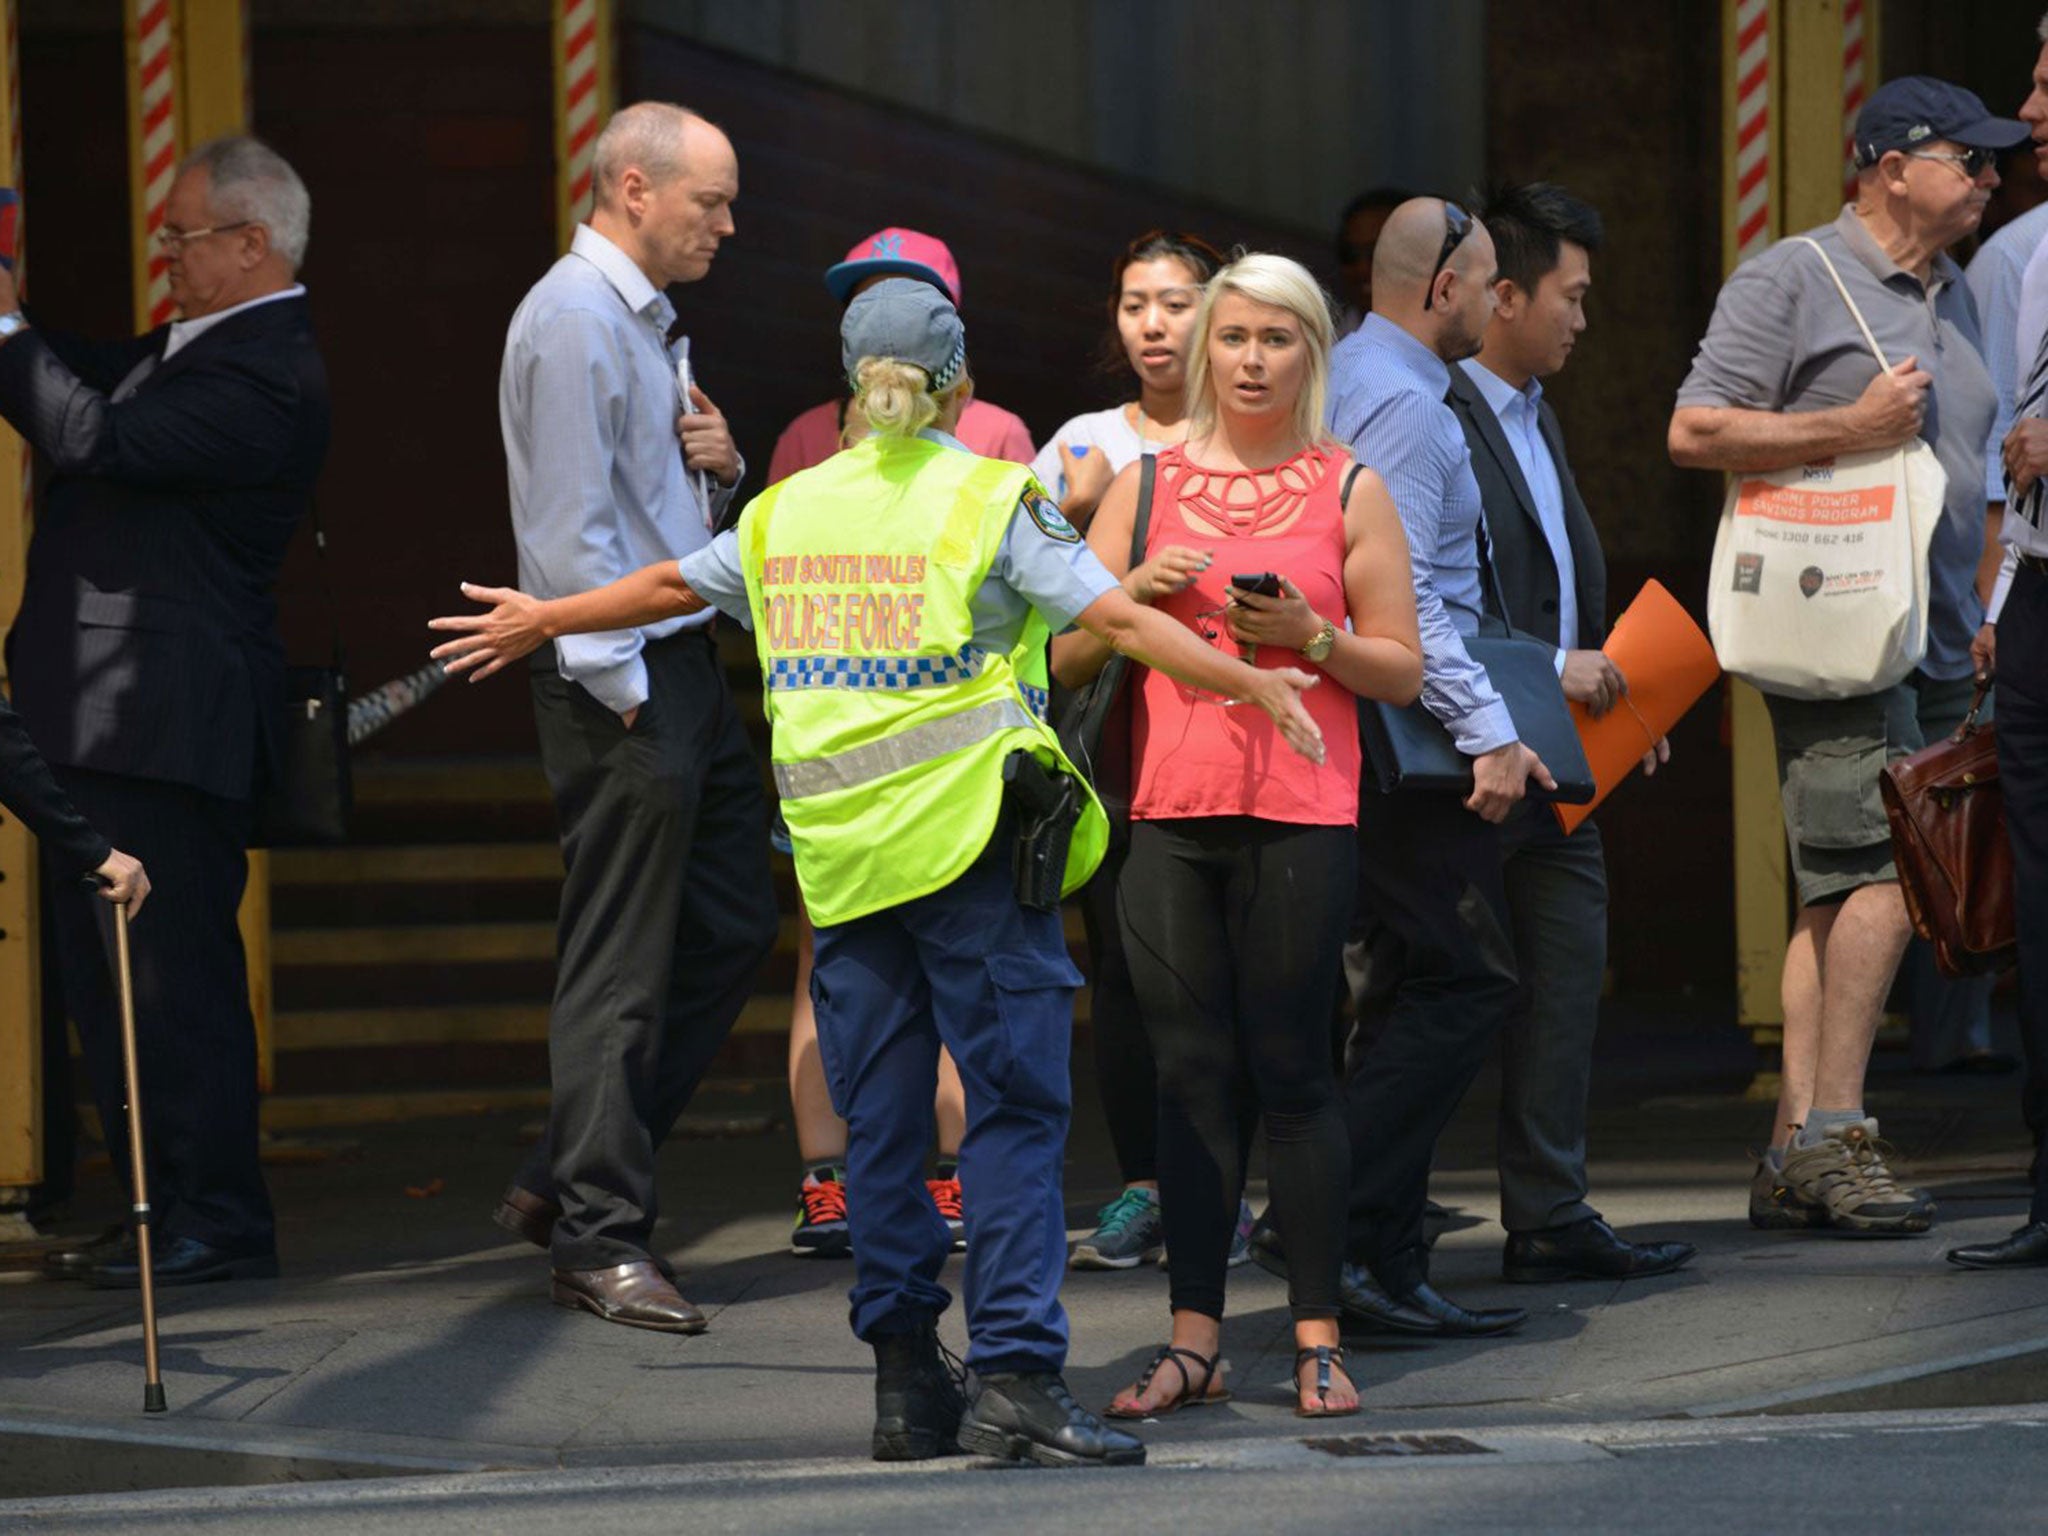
[589,400]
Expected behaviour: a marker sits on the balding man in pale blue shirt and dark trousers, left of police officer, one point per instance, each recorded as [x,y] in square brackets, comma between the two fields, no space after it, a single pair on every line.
[667,904]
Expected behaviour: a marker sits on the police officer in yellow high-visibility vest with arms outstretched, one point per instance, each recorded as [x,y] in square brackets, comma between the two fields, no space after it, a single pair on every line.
[896,593]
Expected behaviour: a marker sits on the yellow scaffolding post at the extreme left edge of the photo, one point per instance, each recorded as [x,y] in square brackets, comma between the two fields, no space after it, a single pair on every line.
[22,1013]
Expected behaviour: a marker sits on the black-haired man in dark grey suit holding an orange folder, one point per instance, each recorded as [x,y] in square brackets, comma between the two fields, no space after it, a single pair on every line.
[1553,581]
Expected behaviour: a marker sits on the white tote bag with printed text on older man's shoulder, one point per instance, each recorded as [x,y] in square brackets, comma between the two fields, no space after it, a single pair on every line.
[1820,579]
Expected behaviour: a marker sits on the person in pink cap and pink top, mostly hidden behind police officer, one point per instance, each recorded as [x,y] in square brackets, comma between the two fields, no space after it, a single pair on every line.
[814,437]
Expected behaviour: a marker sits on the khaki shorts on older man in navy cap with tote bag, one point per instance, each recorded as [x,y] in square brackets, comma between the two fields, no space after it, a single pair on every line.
[1830,757]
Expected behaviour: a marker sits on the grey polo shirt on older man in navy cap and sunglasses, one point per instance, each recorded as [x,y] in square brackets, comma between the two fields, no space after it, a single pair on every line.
[1783,341]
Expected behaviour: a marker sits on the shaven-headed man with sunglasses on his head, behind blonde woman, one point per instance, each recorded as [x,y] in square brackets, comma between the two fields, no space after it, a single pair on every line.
[1435,929]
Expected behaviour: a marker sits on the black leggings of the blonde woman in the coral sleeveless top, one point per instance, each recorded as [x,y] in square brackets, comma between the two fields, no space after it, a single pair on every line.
[1234,931]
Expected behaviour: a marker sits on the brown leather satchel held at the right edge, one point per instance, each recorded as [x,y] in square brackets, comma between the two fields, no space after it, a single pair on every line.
[1949,841]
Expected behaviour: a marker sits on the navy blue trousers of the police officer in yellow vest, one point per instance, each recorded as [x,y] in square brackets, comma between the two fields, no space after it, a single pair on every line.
[970,970]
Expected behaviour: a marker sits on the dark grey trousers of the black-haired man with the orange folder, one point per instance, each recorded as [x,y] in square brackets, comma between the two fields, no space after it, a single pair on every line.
[1558,900]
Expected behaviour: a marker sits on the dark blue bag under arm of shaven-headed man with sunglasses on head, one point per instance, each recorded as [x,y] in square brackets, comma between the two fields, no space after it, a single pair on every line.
[1410,749]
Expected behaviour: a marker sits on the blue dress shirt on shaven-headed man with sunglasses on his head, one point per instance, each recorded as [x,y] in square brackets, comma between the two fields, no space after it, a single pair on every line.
[1388,402]
